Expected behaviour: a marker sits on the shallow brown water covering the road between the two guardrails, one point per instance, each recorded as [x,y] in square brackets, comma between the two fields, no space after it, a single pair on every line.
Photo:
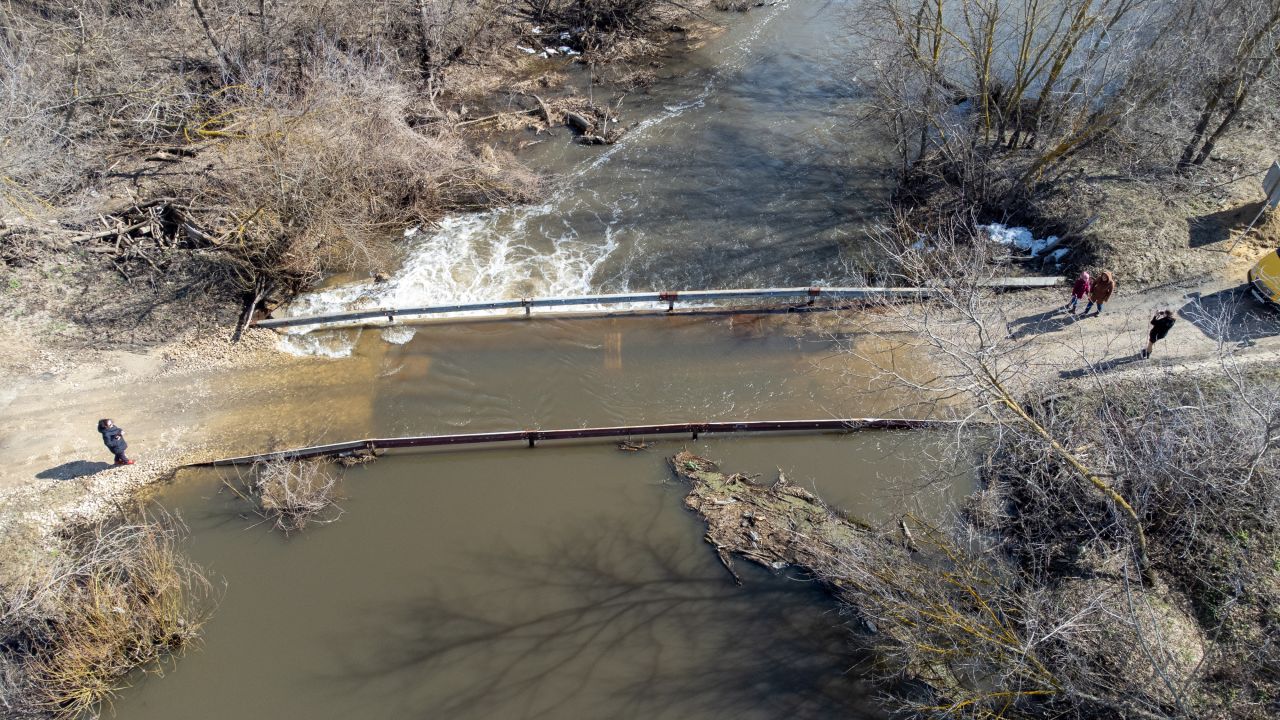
[565,373]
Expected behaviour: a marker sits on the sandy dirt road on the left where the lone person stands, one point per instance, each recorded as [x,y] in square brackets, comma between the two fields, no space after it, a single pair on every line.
[179,404]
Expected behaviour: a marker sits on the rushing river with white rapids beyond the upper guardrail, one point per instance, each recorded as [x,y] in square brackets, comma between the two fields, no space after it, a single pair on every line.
[749,167]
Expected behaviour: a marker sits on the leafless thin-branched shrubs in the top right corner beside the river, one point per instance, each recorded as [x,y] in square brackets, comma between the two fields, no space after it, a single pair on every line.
[1016,92]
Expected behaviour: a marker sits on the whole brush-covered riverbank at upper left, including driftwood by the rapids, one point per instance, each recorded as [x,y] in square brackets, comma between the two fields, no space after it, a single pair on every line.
[301,151]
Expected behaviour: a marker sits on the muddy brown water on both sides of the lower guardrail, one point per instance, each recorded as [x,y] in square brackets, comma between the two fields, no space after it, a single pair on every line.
[566,581]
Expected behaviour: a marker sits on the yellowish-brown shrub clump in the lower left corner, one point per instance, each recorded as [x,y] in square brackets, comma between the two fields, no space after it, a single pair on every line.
[117,598]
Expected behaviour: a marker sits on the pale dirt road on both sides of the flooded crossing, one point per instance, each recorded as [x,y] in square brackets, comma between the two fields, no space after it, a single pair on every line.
[194,402]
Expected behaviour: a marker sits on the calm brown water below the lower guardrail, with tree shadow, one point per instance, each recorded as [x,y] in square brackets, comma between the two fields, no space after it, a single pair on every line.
[564,582]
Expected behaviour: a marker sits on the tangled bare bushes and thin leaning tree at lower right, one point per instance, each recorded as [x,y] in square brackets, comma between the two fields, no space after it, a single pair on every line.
[1119,558]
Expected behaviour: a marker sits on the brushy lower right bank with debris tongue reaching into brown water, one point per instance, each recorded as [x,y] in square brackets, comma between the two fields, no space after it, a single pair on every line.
[1034,604]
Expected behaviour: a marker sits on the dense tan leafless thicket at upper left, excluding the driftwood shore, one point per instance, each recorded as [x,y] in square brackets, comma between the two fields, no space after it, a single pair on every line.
[271,143]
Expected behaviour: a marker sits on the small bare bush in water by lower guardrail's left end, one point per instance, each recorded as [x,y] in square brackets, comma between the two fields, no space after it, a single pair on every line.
[296,494]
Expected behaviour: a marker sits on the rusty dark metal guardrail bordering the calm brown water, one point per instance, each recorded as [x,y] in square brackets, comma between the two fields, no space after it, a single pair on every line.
[533,438]
